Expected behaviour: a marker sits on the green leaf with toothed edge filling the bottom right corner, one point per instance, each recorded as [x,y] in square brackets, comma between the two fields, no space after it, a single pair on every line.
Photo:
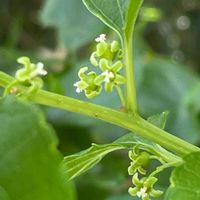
[185,180]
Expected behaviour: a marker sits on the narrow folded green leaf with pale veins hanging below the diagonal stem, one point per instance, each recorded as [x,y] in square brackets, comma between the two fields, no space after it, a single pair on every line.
[81,162]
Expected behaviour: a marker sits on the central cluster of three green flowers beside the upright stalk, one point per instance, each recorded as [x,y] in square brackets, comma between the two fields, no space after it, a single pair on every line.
[108,58]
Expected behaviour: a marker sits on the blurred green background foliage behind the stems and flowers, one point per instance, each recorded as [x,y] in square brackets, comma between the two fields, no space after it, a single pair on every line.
[61,34]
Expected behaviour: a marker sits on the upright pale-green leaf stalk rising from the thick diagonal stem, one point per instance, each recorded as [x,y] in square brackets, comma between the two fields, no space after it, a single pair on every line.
[131,99]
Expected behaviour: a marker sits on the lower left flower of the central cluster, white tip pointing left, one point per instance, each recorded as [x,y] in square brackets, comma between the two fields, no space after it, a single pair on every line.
[87,83]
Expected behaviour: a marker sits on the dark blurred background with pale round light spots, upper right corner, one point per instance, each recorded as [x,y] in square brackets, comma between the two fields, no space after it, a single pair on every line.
[177,34]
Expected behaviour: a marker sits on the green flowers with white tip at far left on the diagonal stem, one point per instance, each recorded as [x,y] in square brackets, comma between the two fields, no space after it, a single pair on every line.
[28,77]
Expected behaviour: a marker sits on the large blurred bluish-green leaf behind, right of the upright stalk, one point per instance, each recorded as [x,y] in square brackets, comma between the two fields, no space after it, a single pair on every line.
[160,77]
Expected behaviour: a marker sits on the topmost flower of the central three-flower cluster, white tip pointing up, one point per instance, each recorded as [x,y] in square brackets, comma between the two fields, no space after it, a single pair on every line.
[108,51]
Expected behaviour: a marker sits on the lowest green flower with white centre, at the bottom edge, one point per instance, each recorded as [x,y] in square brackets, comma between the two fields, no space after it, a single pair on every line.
[144,188]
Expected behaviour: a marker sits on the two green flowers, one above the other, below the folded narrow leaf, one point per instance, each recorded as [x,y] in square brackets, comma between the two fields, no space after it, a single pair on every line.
[143,188]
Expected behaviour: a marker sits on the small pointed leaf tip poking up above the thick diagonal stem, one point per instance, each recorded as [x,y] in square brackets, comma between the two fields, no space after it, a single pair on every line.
[159,120]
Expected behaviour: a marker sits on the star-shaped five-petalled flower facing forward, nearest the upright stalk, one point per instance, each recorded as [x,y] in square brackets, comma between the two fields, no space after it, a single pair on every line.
[110,74]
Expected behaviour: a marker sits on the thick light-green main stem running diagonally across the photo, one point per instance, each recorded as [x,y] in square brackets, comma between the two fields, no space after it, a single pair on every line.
[133,123]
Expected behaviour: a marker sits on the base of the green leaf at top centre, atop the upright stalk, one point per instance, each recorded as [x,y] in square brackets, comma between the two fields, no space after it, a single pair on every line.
[119,15]
